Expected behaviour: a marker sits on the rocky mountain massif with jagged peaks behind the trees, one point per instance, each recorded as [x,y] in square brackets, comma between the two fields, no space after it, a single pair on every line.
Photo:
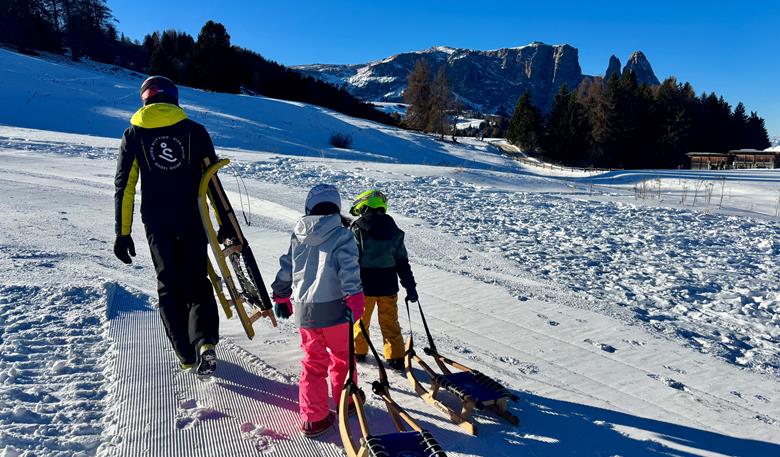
[489,81]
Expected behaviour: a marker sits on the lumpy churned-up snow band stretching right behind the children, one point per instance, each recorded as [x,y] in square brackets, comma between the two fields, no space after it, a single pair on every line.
[709,280]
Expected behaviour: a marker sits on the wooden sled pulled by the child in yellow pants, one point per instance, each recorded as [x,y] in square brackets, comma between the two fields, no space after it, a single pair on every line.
[473,389]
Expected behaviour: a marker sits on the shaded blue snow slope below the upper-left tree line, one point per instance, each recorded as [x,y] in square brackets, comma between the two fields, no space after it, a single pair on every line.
[55,94]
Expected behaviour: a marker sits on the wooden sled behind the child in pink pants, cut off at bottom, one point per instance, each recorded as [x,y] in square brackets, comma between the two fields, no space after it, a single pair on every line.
[410,440]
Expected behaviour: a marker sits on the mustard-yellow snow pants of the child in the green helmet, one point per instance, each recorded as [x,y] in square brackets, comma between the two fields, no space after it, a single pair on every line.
[388,323]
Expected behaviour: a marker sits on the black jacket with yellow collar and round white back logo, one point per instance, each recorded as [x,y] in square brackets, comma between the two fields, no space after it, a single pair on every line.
[167,151]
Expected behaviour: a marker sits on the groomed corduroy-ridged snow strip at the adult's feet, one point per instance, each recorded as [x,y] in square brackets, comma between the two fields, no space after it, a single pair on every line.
[240,411]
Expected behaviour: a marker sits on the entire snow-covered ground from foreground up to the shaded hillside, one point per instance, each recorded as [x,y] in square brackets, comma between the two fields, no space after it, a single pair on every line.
[628,325]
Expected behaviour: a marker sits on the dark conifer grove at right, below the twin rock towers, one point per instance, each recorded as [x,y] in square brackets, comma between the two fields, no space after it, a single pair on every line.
[619,123]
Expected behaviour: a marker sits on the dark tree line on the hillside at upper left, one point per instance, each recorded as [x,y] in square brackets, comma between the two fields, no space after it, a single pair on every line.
[85,28]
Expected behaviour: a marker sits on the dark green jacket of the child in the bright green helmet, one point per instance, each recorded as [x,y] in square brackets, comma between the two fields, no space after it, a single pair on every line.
[383,258]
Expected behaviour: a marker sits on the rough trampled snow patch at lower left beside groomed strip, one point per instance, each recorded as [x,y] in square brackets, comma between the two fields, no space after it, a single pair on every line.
[54,365]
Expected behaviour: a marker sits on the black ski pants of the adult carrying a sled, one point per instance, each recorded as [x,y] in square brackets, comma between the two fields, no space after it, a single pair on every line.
[187,305]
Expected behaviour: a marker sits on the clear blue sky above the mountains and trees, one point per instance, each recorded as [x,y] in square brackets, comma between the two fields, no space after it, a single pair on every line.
[732,48]
